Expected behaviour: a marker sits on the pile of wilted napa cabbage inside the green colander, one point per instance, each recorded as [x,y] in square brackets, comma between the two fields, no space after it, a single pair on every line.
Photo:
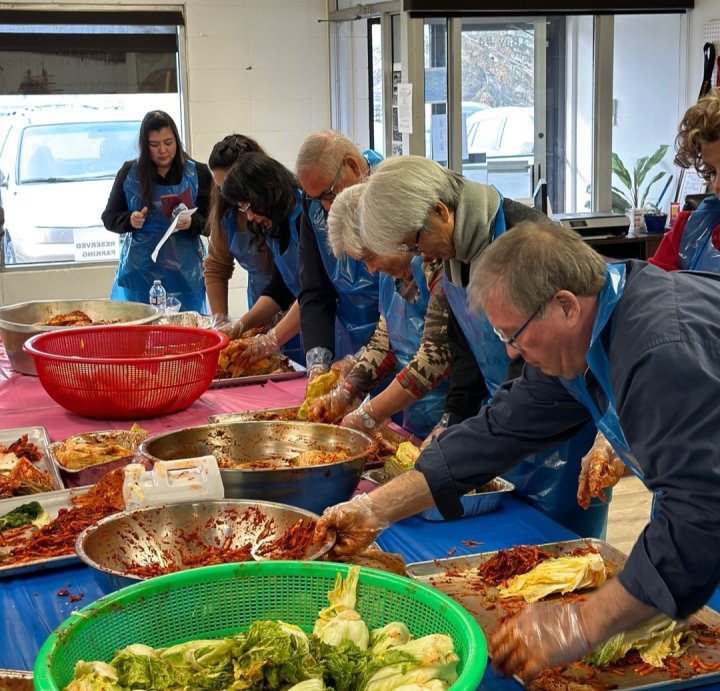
[275,655]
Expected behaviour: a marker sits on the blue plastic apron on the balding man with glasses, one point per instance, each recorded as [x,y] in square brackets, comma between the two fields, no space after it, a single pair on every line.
[356,287]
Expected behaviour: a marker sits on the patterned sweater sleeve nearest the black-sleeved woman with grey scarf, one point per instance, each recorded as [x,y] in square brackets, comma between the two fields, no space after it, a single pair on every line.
[431,363]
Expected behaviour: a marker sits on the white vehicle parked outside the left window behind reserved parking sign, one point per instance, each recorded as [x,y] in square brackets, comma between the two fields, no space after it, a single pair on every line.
[57,165]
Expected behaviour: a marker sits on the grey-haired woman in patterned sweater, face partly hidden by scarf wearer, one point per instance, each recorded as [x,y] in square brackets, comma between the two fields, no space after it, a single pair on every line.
[410,340]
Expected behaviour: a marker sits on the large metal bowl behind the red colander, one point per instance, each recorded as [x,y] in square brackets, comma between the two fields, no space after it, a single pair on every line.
[21,321]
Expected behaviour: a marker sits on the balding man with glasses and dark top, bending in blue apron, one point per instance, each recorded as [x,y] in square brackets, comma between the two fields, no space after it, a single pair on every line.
[338,296]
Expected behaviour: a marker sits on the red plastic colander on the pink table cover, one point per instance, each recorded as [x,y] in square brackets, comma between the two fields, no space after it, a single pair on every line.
[126,371]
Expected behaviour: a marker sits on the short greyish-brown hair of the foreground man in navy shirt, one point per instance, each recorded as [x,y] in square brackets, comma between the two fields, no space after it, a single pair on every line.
[531,262]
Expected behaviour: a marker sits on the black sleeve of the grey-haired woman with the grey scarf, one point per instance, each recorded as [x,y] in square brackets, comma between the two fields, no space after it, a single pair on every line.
[467,384]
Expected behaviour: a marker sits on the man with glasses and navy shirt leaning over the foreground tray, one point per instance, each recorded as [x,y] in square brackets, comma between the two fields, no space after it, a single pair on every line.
[634,349]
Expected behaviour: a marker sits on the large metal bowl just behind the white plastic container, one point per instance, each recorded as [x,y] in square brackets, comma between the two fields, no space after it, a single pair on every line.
[313,488]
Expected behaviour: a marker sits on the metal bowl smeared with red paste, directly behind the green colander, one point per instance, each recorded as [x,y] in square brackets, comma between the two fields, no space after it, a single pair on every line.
[169,536]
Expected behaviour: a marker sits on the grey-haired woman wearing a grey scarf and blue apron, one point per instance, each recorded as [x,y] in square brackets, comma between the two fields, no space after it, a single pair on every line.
[413,203]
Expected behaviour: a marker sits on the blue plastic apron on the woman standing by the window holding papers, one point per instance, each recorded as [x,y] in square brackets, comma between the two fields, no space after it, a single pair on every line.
[180,261]
